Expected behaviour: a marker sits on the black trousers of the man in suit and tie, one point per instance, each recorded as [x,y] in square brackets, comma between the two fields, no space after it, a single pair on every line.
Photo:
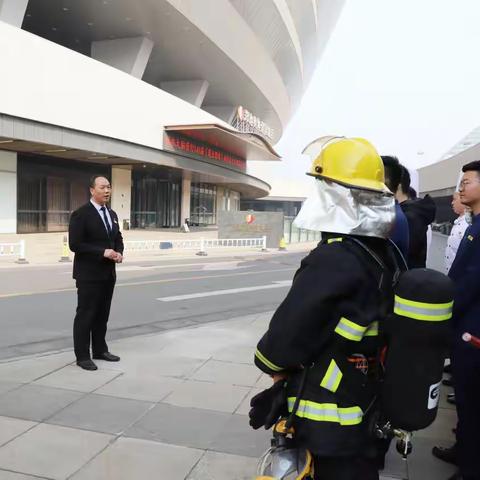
[93,309]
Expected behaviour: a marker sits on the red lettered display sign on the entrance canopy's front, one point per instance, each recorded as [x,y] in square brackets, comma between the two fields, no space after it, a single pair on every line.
[178,142]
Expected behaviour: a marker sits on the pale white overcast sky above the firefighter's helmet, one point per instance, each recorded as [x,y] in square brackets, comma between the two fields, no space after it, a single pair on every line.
[404,74]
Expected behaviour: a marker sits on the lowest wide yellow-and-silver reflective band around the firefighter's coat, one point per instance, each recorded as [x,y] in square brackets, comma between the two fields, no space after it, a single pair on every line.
[327,412]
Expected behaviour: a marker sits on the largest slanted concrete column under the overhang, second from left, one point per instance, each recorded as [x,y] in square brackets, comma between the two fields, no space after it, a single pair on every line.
[128,54]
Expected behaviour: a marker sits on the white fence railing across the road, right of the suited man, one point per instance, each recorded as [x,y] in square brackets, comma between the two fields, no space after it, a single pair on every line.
[201,245]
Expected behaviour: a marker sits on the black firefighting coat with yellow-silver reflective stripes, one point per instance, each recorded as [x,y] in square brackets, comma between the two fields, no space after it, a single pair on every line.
[331,317]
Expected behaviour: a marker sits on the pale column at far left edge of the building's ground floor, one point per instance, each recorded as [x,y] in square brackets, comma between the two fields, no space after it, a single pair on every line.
[8,192]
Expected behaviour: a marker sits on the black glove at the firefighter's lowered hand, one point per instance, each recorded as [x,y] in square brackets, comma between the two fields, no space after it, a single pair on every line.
[268,406]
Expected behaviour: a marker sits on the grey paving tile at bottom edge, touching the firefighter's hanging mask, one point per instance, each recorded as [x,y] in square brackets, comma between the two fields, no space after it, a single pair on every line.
[218,466]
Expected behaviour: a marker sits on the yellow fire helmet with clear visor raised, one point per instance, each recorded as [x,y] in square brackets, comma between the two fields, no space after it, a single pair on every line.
[352,162]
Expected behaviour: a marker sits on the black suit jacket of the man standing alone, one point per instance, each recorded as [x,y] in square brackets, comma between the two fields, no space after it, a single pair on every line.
[89,239]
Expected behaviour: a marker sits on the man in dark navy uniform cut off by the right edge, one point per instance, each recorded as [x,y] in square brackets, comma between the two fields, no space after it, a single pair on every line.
[465,272]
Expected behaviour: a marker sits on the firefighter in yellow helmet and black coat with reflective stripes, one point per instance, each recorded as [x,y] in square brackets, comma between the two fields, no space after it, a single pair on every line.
[329,324]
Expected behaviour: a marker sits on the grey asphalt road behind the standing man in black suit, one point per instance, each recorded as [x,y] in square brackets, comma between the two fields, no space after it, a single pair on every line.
[37,303]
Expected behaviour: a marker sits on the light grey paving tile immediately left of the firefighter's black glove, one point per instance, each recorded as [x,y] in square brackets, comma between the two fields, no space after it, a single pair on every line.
[209,396]
